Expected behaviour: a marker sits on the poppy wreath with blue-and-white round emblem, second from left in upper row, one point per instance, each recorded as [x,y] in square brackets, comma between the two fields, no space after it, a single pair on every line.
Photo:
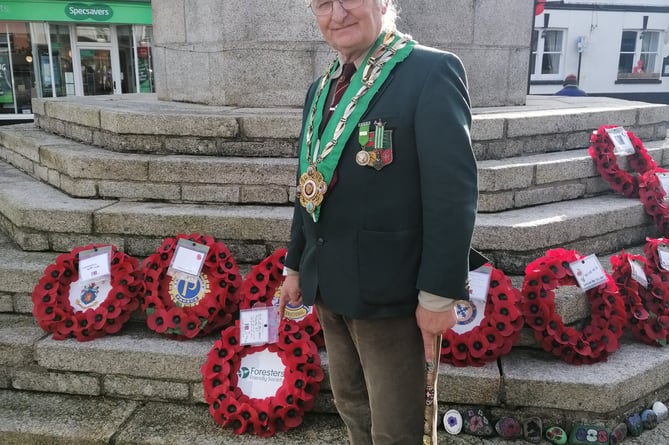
[183,310]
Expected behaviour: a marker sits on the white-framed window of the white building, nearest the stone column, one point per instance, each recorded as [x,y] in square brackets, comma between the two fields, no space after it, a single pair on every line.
[547,54]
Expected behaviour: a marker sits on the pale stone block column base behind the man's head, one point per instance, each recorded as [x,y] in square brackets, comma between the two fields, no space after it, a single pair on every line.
[253,53]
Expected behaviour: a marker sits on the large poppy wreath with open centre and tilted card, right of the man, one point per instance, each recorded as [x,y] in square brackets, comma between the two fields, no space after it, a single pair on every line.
[598,338]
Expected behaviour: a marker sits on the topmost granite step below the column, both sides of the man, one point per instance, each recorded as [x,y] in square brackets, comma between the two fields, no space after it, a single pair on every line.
[142,123]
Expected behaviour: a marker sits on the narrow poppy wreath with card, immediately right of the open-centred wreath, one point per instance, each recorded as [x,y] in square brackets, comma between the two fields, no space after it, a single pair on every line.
[647,310]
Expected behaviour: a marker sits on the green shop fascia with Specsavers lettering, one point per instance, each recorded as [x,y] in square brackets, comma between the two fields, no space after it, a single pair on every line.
[136,12]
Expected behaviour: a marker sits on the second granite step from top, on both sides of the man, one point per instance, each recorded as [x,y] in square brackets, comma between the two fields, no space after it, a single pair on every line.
[86,171]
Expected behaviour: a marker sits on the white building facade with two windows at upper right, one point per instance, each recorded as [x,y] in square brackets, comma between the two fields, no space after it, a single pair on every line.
[616,48]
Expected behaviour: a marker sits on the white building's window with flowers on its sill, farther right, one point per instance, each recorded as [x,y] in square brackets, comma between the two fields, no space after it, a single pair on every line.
[639,55]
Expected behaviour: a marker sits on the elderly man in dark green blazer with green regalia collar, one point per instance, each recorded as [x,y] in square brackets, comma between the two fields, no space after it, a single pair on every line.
[384,214]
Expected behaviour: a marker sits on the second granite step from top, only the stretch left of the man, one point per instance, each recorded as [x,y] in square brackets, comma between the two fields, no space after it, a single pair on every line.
[86,171]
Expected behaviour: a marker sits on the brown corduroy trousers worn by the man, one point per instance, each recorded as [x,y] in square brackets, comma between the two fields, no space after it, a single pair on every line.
[377,372]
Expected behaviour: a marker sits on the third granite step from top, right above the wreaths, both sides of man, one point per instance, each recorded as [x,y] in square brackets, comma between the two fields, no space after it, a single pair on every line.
[40,218]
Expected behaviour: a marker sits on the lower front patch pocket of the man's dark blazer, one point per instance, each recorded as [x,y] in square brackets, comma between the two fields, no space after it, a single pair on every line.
[388,265]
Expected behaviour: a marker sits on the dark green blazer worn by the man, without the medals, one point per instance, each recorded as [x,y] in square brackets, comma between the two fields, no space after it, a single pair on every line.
[384,234]
